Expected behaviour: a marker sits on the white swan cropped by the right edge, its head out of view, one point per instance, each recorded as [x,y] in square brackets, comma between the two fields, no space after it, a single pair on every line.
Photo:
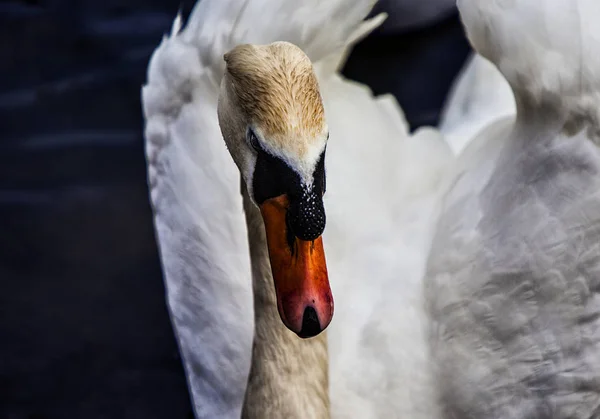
[512,278]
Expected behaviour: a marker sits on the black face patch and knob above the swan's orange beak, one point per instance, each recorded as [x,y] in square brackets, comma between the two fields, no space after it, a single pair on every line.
[272,177]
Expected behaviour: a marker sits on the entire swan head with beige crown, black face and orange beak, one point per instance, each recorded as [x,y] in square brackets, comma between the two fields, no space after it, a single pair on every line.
[273,122]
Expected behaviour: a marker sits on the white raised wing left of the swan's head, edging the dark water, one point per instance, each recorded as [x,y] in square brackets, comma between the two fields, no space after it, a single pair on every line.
[194,191]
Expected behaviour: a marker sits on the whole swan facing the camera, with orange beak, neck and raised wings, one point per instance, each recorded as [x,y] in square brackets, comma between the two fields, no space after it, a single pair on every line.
[382,194]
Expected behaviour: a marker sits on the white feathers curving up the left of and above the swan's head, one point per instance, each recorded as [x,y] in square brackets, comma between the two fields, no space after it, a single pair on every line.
[194,184]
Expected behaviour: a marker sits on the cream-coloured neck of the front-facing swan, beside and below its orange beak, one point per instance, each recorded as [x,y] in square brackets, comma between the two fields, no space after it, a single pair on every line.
[289,376]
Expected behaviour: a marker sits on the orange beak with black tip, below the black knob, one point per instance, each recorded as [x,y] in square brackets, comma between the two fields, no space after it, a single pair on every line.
[304,299]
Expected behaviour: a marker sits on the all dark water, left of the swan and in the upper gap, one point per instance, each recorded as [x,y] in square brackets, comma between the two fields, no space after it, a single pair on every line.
[84,329]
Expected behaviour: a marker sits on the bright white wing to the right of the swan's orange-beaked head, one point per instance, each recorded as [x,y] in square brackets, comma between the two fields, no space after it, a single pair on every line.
[383,186]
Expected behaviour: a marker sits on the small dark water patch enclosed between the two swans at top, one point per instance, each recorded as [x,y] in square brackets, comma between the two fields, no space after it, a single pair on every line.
[417,67]
